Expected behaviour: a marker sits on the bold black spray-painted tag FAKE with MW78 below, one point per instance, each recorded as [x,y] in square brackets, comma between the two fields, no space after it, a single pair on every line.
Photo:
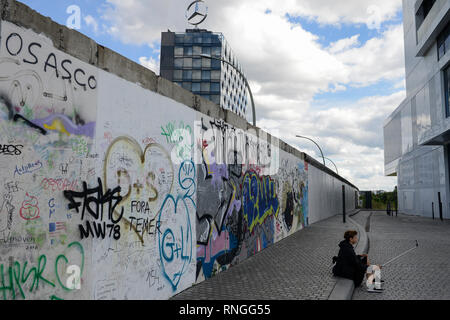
[95,197]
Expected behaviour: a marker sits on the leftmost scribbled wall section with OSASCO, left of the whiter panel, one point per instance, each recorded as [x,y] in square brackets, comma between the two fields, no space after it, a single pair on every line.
[48,111]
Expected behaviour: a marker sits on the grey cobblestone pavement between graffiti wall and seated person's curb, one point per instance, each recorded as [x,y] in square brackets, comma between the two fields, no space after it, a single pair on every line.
[296,268]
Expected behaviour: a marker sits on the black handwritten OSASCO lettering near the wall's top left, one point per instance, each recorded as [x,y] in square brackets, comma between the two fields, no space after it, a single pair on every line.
[15,46]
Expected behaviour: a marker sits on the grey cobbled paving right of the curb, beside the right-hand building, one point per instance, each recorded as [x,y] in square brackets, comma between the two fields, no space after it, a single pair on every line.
[423,274]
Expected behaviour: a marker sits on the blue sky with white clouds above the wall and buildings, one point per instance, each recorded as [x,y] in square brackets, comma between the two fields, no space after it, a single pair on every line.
[330,70]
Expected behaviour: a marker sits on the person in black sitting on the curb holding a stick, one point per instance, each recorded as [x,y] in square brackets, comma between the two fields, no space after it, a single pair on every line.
[355,267]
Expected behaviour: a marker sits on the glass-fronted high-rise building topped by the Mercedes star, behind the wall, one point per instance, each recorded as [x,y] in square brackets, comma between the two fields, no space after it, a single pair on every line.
[182,62]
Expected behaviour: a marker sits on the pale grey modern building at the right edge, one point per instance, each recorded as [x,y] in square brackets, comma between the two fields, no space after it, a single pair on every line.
[417,133]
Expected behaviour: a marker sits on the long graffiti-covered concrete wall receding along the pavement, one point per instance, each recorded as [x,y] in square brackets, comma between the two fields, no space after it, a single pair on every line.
[117,184]
